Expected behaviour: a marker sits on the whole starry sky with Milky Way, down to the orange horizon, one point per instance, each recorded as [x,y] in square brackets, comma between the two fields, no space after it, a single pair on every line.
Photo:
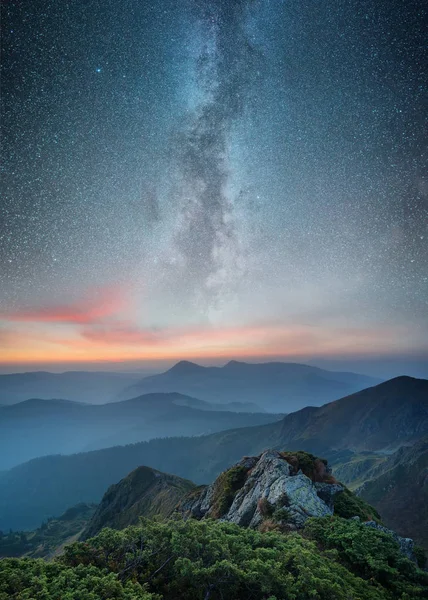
[212,179]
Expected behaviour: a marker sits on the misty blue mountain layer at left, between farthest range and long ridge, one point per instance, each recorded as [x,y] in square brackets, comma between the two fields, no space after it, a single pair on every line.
[38,427]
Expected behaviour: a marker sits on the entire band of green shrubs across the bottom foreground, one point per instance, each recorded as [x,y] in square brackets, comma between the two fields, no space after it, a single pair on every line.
[333,559]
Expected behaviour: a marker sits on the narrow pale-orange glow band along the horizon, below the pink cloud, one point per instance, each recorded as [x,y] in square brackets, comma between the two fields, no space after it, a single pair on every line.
[246,342]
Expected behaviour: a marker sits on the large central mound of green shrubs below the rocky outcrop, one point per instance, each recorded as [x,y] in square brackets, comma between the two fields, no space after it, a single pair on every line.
[194,560]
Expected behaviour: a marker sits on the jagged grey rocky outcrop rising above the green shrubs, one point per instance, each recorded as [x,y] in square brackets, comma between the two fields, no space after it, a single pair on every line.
[272,486]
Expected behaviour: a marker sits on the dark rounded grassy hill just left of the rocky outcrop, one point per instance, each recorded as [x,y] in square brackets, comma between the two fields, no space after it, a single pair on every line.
[144,492]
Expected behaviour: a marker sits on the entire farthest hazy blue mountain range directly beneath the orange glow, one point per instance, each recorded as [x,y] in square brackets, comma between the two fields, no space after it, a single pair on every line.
[277,387]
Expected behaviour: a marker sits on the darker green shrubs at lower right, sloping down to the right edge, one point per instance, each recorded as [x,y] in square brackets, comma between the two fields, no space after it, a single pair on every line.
[370,554]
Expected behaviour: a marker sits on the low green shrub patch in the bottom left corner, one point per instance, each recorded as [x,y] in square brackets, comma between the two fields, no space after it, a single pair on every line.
[34,579]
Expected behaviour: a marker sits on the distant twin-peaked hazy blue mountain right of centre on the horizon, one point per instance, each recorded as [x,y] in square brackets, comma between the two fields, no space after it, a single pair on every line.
[281,387]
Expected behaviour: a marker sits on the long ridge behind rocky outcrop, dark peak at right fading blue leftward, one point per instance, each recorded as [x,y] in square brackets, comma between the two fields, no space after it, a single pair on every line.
[379,420]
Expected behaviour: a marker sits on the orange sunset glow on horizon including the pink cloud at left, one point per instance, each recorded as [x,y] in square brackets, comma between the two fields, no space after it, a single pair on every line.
[102,328]
